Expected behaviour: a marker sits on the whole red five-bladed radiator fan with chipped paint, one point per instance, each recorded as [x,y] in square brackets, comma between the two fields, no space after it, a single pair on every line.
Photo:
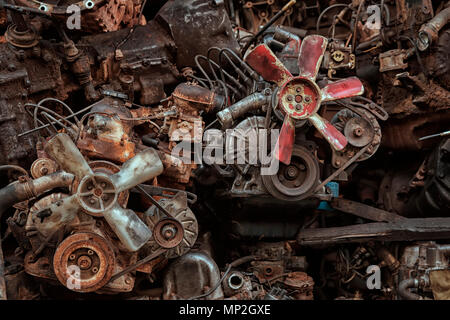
[300,98]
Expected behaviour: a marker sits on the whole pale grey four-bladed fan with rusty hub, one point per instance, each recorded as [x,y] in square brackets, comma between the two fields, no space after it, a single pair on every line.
[98,192]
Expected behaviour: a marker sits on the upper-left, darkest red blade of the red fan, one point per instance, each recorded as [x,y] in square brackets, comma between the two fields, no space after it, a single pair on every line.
[266,63]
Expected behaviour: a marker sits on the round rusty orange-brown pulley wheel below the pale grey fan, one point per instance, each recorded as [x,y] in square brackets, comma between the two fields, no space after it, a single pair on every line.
[84,262]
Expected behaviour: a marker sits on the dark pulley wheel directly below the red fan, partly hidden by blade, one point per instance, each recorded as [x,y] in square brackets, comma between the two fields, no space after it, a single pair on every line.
[296,181]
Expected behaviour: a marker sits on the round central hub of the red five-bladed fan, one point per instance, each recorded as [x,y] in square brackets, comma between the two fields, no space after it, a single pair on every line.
[299,98]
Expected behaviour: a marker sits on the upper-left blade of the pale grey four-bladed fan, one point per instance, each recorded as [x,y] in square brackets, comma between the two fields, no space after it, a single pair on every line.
[64,151]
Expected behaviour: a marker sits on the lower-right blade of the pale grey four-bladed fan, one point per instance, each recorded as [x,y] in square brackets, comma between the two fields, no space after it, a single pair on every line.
[132,231]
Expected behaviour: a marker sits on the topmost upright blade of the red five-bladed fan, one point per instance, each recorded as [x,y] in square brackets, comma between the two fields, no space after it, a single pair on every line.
[311,56]
